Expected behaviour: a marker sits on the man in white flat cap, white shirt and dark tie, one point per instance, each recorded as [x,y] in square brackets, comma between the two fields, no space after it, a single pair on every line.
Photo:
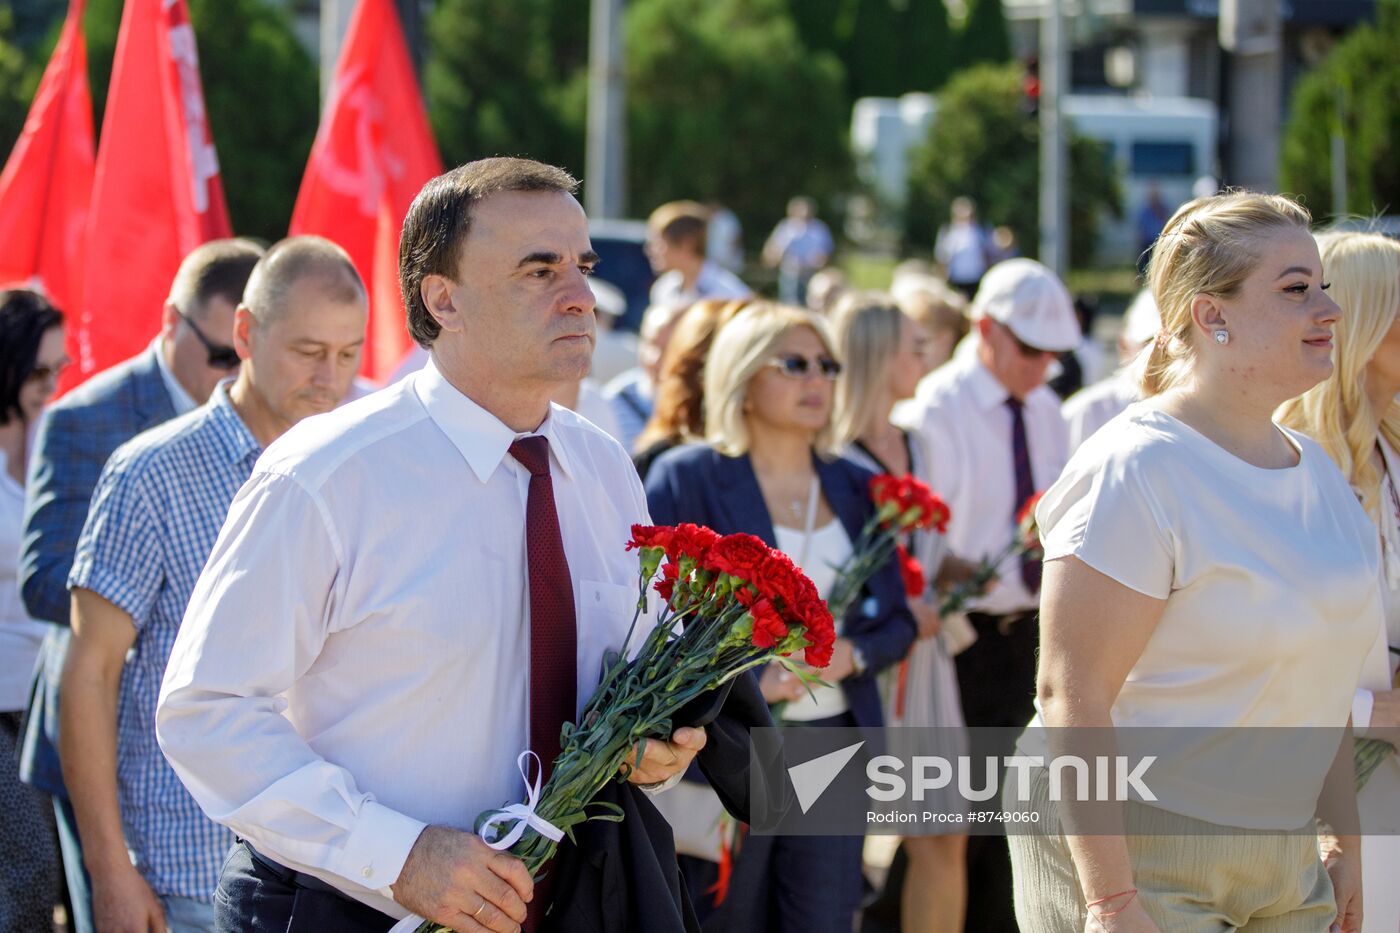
[995,436]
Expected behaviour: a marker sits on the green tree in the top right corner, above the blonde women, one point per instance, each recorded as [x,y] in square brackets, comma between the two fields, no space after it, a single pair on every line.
[1356,93]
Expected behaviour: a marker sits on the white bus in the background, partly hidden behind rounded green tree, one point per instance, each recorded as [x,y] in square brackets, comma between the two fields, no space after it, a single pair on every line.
[1156,142]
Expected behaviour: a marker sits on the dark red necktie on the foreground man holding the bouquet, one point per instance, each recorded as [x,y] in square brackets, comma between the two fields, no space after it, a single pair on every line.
[552,633]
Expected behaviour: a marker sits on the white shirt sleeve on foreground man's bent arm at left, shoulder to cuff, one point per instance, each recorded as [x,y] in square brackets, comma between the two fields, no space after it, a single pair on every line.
[257,621]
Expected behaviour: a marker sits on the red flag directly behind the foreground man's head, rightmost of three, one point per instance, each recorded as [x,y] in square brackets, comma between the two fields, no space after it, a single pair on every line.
[373,155]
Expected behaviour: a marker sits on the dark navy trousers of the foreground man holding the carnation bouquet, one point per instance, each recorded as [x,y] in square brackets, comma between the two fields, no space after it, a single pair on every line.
[258,896]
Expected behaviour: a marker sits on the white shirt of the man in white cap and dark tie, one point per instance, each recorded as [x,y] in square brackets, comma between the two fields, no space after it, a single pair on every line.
[961,417]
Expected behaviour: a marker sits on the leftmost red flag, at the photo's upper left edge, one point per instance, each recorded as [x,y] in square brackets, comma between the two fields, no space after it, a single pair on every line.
[48,181]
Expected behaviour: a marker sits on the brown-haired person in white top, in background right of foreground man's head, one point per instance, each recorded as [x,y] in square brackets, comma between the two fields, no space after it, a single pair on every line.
[677,242]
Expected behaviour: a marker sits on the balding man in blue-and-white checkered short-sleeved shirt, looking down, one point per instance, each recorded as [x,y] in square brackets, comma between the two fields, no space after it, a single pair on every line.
[153,855]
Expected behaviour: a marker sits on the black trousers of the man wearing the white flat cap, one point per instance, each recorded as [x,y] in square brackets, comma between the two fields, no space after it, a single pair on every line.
[997,682]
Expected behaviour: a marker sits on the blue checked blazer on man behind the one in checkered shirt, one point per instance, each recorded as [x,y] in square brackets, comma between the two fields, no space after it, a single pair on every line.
[73,442]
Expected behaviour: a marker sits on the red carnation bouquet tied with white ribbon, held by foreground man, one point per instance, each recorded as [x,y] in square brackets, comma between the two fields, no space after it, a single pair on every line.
[729,604]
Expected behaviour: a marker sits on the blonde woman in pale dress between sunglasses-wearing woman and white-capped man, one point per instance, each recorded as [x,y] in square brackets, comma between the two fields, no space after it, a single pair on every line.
[885,354]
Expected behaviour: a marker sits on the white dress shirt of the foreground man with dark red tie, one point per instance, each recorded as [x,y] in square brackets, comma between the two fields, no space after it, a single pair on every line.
[355,662]
